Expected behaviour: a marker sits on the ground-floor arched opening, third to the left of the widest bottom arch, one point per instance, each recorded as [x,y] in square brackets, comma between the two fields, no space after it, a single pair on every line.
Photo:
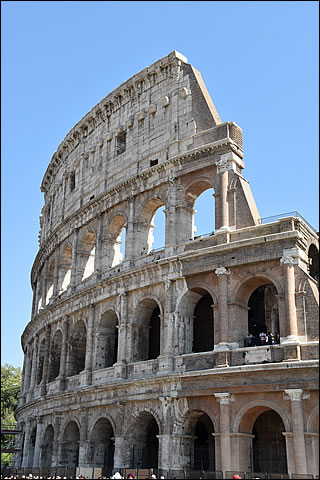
[102,447]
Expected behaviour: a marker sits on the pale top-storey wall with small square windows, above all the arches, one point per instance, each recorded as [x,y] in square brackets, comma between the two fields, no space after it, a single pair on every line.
[148,119]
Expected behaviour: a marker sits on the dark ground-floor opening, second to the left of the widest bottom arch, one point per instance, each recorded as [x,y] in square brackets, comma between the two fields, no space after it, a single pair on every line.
[145,443]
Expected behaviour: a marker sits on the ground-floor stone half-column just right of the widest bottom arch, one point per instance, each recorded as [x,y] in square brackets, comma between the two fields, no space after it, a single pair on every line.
[296,397]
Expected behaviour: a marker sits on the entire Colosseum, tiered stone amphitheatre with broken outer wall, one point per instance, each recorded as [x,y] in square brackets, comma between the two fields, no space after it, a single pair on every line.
[197,358]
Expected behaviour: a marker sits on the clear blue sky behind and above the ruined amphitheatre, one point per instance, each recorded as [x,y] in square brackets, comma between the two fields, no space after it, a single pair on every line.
[259,61]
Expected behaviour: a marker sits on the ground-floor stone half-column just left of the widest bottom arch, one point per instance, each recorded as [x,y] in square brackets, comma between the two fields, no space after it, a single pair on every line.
[224,423]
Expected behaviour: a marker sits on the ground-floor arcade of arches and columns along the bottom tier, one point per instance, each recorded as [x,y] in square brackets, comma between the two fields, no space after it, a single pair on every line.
[263,435]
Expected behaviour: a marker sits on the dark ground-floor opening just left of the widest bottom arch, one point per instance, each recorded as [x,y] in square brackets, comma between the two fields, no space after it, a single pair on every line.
[204,445]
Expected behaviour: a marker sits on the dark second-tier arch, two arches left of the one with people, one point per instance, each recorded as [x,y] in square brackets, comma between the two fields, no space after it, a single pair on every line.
[148,319]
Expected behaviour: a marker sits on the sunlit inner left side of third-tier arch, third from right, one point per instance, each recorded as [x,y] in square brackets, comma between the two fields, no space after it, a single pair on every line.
[111,254]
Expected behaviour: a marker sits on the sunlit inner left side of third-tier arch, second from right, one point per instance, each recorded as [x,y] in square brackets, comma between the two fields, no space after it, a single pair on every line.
[145,223]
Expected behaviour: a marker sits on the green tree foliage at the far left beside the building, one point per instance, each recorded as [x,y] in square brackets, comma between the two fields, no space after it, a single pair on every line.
[10,392]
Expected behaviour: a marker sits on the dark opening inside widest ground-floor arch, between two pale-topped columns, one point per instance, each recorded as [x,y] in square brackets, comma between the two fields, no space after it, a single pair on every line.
[269,446]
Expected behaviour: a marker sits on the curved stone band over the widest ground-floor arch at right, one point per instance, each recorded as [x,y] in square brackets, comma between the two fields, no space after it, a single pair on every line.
[246,415]
